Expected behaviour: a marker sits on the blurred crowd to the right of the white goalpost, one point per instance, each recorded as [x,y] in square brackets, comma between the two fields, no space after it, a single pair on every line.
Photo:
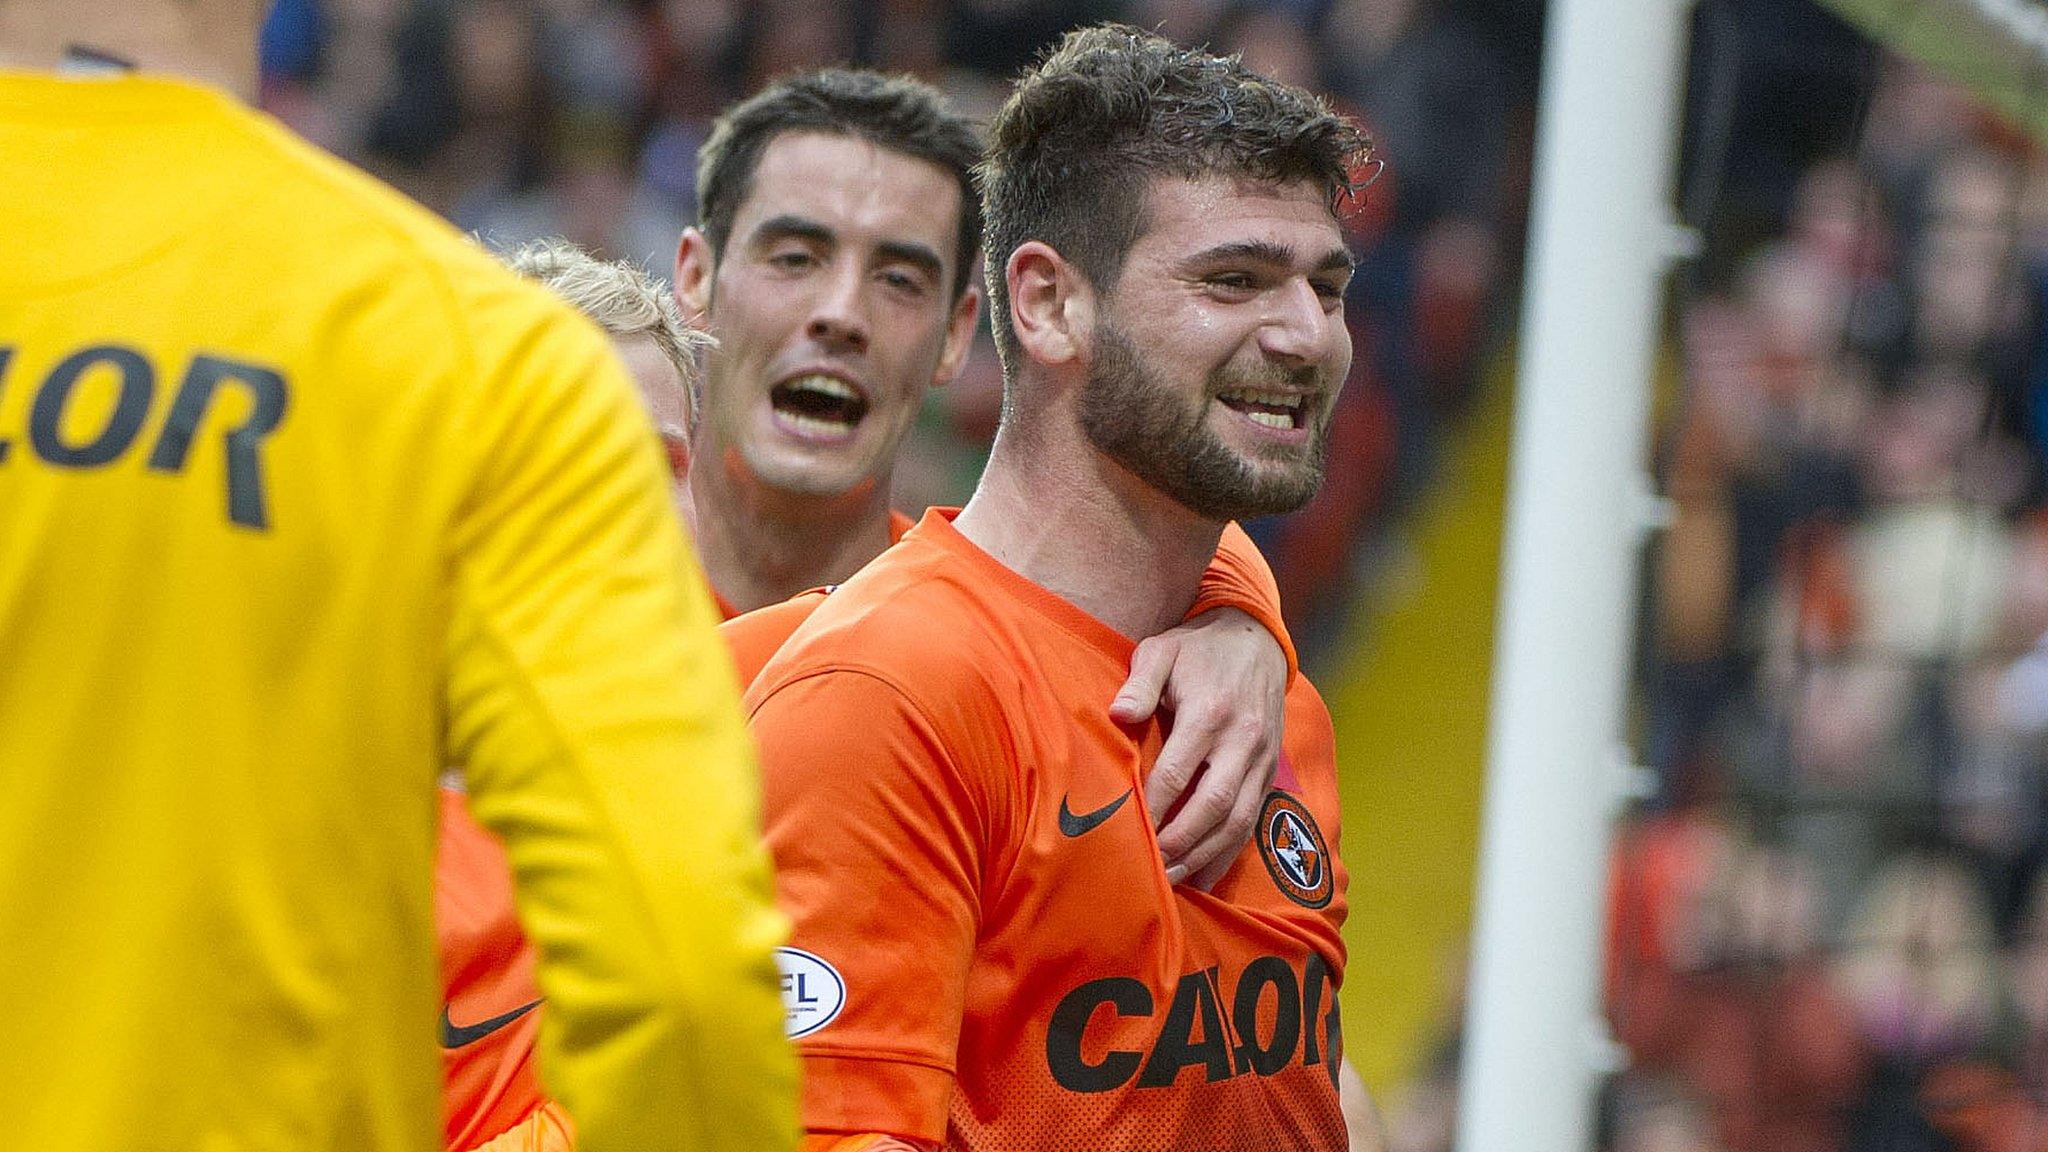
[1830,928]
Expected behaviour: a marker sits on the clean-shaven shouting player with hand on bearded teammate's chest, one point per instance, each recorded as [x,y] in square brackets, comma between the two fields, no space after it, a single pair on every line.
[835,268]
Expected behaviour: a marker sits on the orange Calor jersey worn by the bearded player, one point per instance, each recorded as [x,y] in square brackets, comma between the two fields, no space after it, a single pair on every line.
[986,946]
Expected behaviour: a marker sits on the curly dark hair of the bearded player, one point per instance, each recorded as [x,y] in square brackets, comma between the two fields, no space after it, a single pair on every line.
[1072,153]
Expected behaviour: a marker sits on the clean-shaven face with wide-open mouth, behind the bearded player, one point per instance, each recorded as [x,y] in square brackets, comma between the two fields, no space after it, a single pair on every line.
[835,313]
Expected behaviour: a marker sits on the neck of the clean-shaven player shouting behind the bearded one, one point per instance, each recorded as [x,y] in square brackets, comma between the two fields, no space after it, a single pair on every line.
[761,546]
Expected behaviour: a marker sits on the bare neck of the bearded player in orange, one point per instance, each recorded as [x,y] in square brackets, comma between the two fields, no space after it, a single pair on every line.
[1082,528]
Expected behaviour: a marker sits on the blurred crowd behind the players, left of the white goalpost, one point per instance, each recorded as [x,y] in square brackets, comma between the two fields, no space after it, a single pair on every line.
[583,120]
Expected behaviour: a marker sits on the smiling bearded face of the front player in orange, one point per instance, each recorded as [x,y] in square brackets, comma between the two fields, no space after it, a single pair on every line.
[1220,354]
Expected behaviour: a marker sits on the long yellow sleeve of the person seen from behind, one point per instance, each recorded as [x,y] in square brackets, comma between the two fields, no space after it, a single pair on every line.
[599,727]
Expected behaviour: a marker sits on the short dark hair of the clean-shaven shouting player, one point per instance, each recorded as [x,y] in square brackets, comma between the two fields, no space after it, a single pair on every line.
[900,114]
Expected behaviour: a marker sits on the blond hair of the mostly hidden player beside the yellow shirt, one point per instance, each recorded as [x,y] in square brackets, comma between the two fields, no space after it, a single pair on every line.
[620,298]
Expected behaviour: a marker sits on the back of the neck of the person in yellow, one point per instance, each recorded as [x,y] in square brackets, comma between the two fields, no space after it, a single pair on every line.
[198,42]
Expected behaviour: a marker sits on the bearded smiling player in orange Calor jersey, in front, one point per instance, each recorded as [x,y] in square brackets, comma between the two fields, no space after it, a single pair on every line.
[988,952]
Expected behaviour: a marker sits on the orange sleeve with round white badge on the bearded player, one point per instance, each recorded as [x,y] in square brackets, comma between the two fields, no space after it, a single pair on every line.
[878,850]
